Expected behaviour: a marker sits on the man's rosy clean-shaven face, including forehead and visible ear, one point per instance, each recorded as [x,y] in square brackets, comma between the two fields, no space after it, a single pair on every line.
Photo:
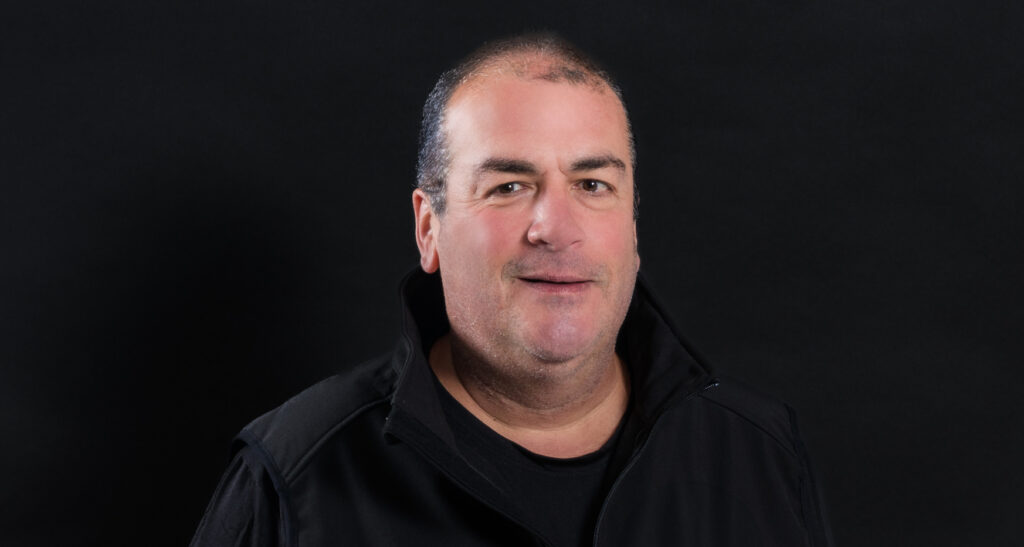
[537,248]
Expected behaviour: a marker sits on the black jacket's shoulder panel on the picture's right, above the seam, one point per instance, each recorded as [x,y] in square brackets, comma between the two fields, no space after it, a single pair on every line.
[772,416]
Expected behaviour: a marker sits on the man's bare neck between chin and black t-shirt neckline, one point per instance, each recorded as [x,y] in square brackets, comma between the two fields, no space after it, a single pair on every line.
[562,415]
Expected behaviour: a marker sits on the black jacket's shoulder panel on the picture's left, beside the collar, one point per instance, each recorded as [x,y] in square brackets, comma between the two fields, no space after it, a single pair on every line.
[289,435]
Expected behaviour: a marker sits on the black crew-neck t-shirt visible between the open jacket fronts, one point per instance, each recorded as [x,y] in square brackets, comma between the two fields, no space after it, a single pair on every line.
[559,498]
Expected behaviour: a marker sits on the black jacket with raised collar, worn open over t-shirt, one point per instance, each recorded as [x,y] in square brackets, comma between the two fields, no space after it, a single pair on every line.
[367,458]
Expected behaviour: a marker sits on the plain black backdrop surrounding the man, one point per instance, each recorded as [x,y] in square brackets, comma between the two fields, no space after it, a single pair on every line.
[205,208]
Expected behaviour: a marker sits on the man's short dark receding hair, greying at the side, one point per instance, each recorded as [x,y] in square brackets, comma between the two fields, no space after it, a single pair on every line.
[572,66]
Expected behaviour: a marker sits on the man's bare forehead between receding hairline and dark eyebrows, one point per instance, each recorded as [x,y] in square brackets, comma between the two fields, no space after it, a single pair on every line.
[502,113]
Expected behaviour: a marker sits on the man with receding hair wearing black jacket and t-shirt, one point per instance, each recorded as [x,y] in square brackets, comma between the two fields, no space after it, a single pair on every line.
[538,397]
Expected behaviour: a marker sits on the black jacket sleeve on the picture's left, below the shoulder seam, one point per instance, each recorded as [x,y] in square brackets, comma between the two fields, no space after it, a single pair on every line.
[245,511]
